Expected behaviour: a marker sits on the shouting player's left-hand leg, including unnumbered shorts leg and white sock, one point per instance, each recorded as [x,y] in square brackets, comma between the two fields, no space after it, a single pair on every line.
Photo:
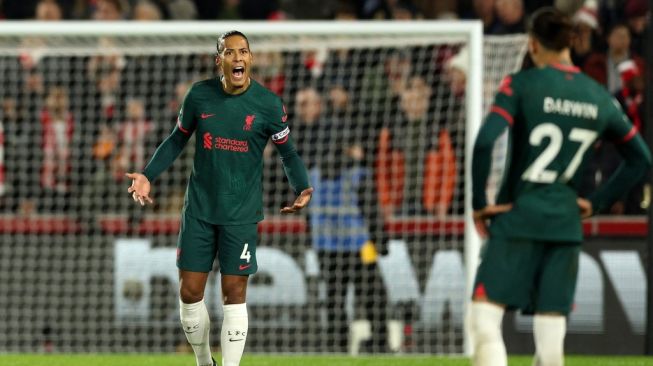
[195,255]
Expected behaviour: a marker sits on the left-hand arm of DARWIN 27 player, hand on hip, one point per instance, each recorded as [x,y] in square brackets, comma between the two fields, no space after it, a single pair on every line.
[499,118]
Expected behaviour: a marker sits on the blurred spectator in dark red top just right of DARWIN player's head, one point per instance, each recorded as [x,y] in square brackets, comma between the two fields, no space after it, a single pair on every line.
[603,67]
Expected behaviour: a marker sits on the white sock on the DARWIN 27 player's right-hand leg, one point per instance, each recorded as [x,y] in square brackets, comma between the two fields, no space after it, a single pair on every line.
[549,333]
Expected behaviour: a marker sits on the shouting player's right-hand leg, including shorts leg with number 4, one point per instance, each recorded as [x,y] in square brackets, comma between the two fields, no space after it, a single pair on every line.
[237,256]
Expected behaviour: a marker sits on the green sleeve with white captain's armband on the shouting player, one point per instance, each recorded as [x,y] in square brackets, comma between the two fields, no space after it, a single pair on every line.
[279,132]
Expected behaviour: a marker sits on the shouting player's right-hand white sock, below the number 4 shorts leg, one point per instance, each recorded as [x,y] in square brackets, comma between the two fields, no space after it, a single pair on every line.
[233,334]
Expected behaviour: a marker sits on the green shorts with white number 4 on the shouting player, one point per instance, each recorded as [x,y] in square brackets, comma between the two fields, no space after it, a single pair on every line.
[200,241]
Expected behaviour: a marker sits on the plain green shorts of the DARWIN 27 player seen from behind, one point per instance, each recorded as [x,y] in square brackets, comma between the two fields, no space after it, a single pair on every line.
[531,275]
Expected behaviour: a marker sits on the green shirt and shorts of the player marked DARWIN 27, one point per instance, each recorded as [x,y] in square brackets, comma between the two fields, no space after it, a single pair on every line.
[554,116]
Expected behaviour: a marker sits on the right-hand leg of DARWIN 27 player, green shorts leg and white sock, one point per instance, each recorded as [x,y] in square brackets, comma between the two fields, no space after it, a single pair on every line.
[555,293]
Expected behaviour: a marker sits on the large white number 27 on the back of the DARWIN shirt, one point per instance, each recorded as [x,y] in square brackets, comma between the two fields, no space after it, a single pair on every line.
[538,172]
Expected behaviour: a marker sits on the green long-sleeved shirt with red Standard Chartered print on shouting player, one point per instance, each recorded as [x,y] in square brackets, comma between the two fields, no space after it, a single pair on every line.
[225,185]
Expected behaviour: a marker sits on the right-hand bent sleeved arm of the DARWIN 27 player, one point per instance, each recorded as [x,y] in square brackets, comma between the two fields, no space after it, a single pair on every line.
[636,162]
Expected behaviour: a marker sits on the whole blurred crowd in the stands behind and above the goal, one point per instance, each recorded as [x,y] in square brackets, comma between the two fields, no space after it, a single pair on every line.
[86,131]
